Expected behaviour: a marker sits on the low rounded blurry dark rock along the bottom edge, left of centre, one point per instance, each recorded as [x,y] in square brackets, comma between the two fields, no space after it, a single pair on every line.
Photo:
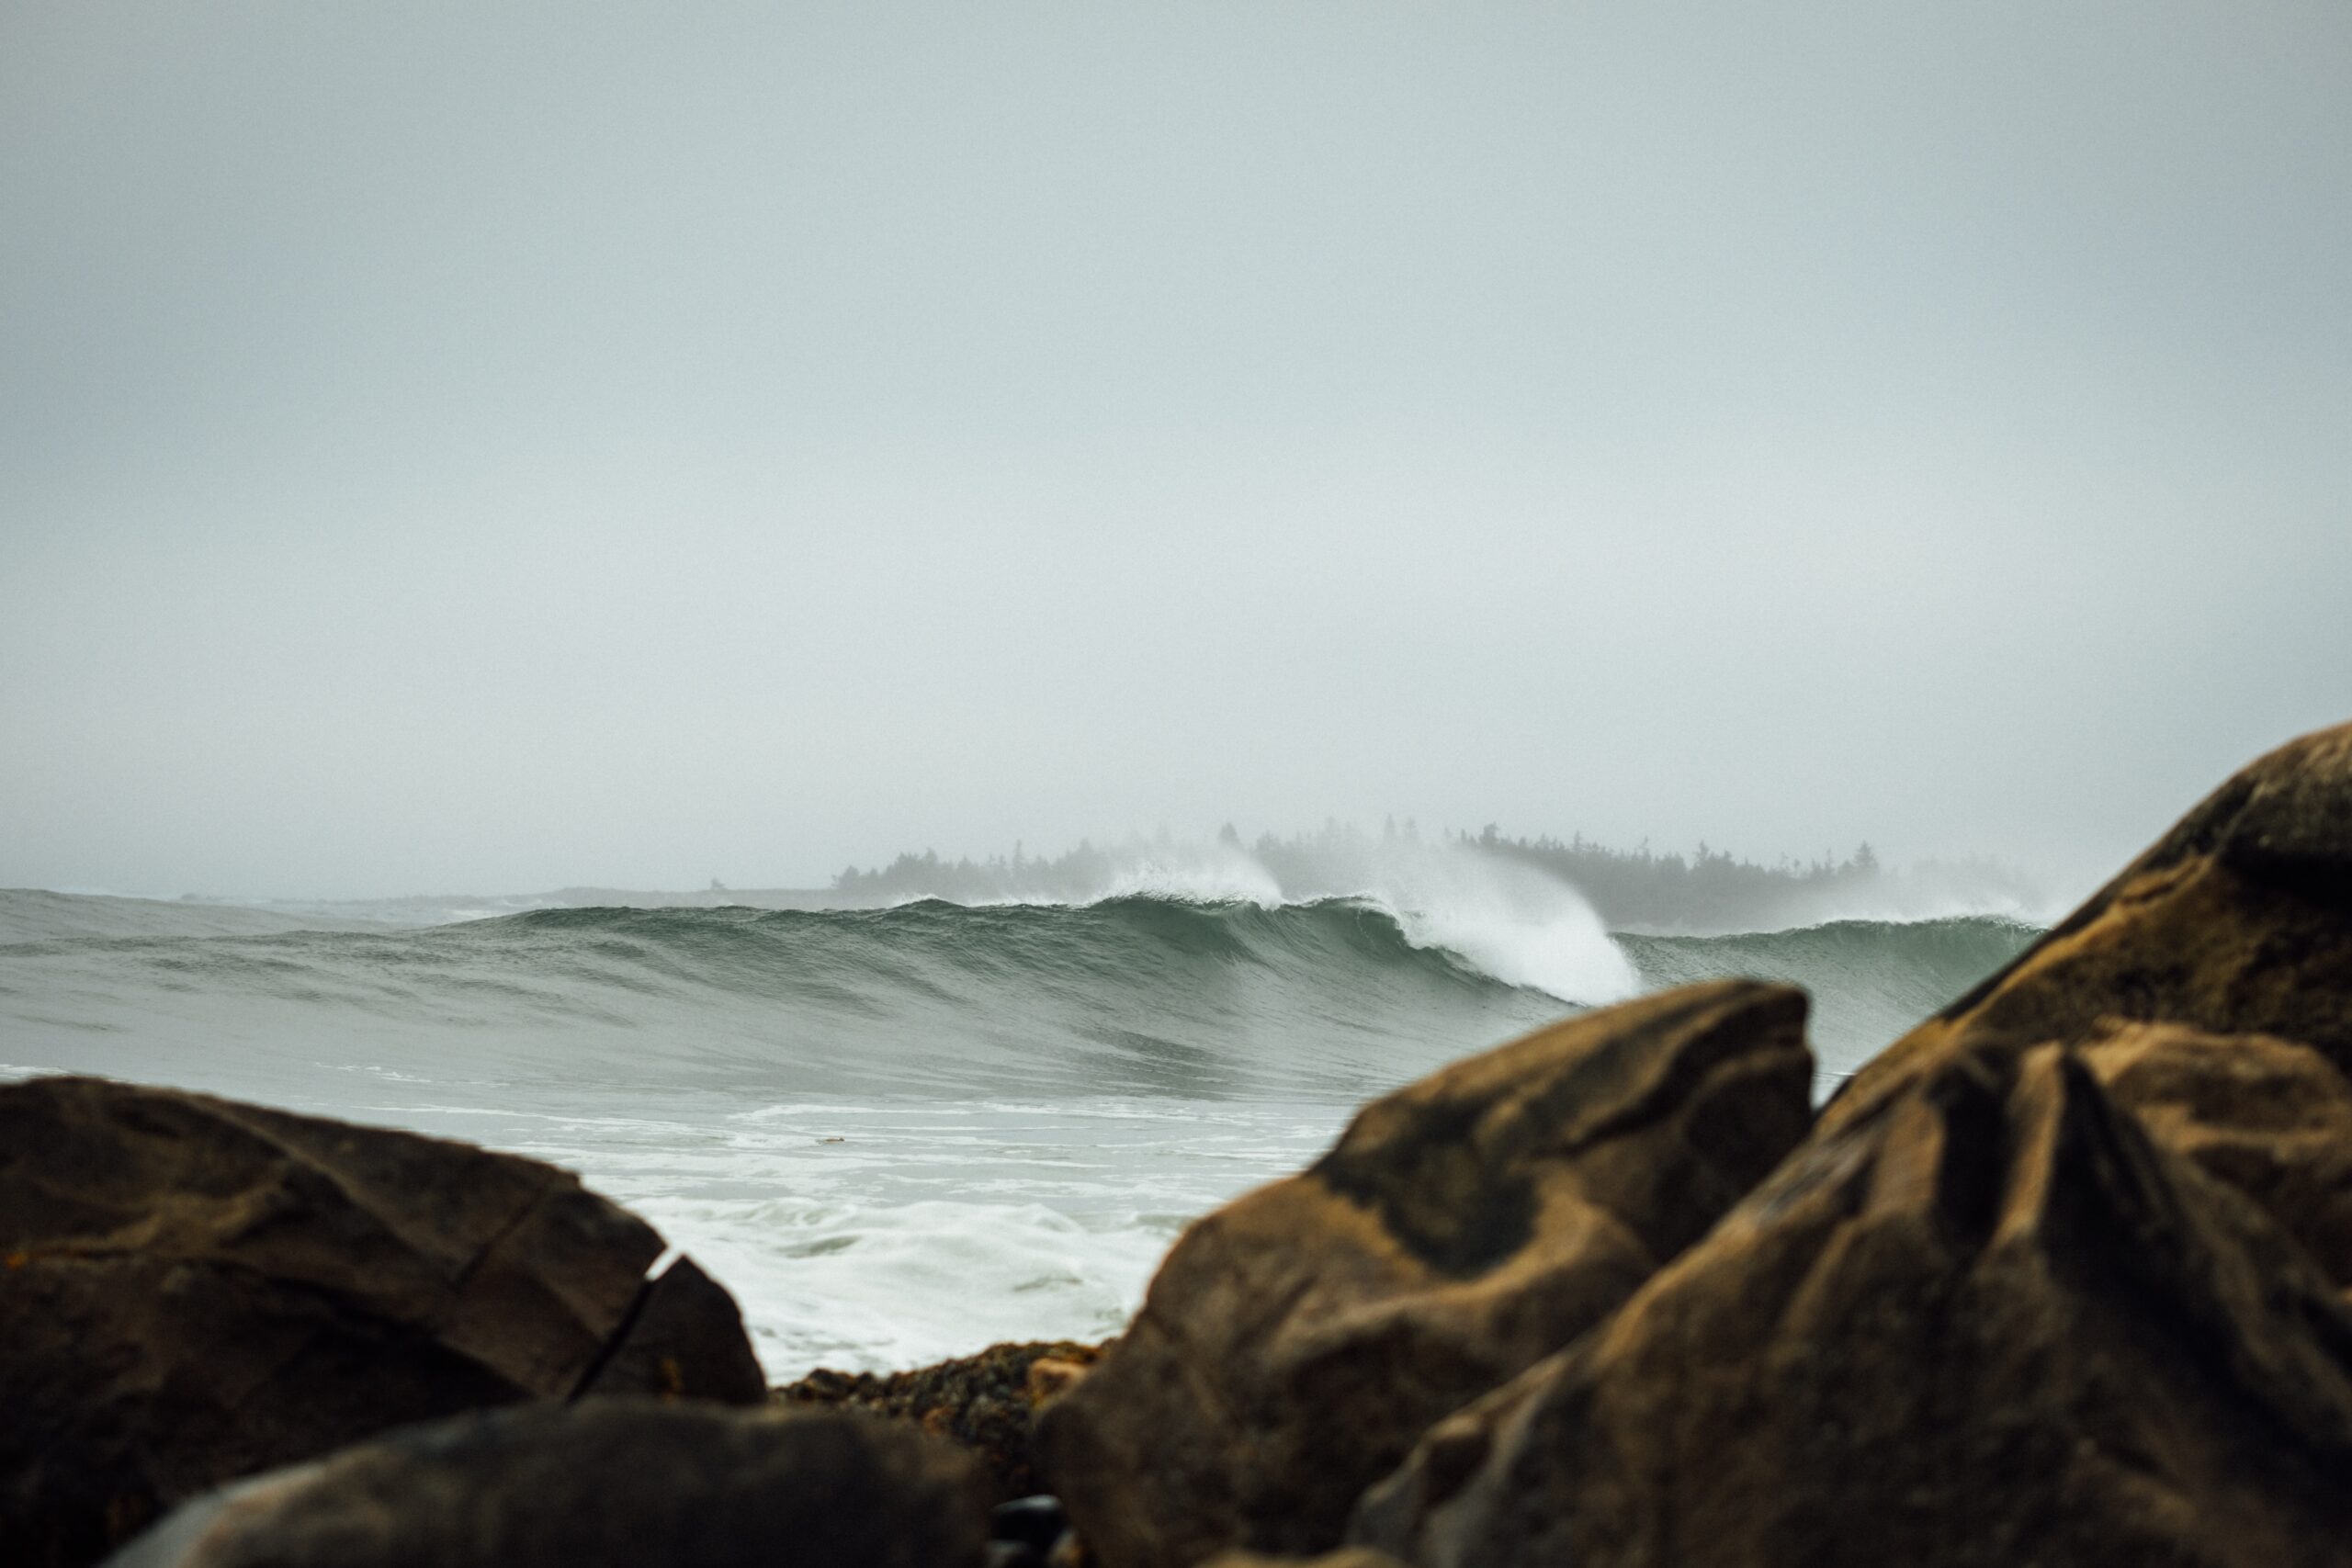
[601,1485]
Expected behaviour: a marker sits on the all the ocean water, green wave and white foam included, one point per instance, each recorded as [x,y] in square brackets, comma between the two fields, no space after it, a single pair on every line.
[895,1134]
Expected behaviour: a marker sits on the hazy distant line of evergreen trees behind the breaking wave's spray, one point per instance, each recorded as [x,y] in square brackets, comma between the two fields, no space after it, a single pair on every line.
[1709,890]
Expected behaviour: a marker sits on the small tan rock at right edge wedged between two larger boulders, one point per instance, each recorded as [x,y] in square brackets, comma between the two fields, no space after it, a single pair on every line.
[2259,1113]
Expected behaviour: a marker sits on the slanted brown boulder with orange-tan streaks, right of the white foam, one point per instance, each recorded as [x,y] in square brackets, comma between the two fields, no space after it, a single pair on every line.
[1297,1341]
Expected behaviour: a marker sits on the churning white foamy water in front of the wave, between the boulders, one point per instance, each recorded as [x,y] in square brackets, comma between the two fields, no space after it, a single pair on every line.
[876,1238]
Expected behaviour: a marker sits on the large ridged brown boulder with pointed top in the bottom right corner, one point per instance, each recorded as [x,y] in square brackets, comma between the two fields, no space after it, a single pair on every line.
[1986,1325]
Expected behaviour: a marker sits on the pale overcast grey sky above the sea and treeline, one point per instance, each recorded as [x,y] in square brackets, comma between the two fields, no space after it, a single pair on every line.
[519,445]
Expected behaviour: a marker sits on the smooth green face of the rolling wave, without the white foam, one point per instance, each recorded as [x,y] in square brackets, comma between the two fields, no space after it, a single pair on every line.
[1123,998]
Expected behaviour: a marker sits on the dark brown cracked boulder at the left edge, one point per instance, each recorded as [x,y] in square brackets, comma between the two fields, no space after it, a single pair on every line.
[196,1289]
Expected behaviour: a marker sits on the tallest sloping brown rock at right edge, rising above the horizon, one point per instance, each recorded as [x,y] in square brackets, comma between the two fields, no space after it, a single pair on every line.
[2236,923]
